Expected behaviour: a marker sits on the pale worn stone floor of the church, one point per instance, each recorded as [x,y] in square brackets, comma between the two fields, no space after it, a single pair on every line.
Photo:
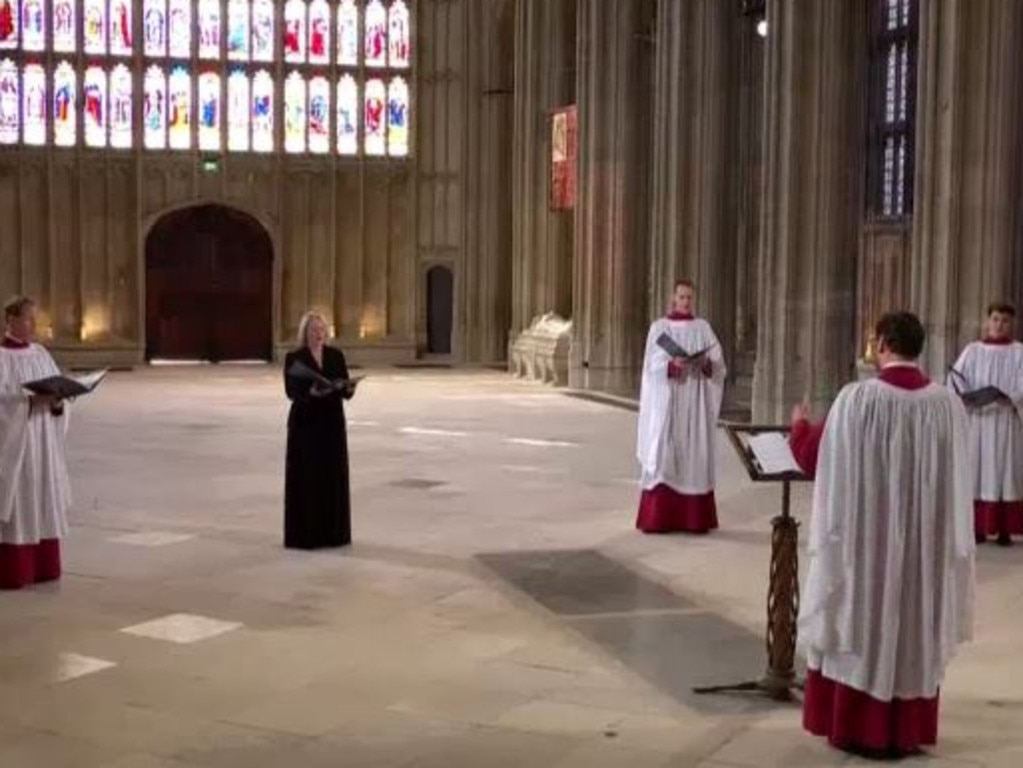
[498,608]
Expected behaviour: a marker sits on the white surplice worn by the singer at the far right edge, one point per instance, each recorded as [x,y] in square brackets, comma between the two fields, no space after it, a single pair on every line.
[996,430]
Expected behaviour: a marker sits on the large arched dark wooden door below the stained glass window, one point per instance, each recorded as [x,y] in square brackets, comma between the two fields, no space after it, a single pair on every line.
[209,287]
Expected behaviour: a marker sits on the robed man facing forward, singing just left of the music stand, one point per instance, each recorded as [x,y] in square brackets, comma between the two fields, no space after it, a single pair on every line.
[680,402]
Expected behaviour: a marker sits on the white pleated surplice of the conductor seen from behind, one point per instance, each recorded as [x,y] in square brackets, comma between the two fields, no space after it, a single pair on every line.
[889,591]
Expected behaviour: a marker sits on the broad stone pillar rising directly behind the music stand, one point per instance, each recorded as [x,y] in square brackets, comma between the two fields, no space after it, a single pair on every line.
[813,203]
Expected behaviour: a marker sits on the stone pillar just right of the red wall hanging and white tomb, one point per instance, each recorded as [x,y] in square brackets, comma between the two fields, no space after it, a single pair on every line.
[612,215]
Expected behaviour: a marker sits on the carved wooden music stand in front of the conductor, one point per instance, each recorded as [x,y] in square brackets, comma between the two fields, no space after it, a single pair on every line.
[783,592]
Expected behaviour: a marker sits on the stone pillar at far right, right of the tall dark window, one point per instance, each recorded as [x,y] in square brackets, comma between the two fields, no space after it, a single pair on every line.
[968,168]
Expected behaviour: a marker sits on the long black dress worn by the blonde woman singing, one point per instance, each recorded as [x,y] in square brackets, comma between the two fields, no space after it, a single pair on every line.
[317,498]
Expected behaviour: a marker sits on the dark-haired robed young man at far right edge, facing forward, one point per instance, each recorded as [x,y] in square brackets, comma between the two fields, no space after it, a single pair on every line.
[996,429]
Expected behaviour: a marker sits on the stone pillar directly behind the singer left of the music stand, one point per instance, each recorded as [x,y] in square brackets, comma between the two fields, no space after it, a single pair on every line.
[695,160]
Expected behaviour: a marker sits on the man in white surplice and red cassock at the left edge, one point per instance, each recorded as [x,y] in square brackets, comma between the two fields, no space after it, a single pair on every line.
[35,491]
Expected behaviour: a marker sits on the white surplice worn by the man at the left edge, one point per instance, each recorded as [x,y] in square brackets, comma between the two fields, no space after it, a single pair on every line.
[35,490]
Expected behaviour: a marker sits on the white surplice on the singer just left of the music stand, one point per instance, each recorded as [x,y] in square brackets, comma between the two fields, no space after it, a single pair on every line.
[679,417]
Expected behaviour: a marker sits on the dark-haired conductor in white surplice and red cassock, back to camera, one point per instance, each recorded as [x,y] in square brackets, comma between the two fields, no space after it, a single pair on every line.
[889,591]
